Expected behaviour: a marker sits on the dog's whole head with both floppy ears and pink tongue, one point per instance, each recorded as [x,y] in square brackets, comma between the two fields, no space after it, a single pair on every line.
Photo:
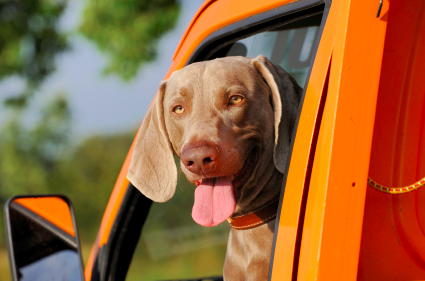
[224,119]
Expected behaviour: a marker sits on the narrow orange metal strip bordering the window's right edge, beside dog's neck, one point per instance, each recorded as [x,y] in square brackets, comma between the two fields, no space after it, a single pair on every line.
[295,192]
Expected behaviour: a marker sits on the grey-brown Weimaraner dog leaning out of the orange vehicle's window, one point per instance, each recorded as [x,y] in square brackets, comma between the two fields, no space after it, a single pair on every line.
[230,122]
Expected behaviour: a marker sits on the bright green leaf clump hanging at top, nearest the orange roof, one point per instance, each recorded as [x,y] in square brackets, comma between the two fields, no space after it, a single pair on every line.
[128,30]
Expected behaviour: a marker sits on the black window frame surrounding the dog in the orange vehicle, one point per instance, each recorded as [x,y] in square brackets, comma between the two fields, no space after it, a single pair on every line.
[122,241]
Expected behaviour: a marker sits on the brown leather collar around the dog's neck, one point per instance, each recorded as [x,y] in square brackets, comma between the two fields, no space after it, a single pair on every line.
[256,217]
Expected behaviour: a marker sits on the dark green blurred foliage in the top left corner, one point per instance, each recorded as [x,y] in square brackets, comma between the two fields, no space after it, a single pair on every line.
[29,42]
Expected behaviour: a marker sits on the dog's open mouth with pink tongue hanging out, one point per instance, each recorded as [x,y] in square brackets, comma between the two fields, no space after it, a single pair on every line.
[215,197]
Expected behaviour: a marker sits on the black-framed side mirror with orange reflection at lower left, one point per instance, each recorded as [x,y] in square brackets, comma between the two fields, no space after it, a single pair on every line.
[42,238]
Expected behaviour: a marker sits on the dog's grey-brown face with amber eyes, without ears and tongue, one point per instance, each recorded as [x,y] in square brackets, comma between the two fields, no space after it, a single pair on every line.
[219,119]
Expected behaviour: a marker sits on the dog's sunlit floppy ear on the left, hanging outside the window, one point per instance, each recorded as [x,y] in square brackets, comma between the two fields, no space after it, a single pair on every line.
[152,169]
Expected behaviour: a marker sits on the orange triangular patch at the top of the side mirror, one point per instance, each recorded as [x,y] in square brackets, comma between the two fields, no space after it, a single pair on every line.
[53,209]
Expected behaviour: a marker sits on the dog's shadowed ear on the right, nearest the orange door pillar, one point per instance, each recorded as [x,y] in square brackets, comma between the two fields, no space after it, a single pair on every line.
[286,96]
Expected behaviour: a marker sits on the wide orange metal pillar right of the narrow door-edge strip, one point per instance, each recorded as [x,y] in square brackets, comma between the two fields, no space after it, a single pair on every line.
[334,214]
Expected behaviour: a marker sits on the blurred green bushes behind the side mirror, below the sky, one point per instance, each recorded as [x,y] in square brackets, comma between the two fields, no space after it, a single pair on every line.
[42,160]
